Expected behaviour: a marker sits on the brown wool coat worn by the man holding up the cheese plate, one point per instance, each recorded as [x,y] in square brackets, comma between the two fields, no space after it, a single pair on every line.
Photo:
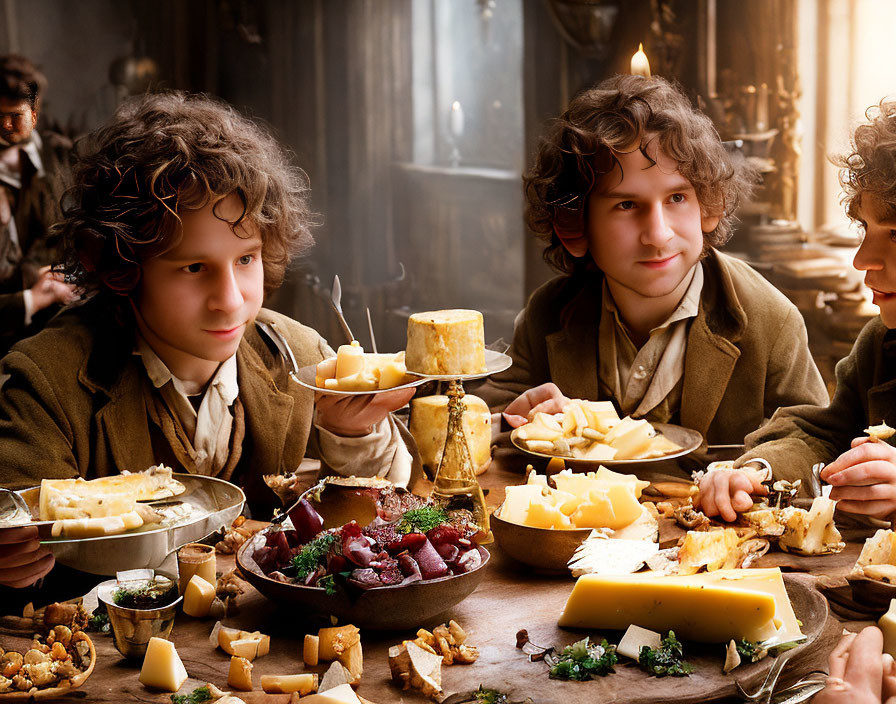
[74,405]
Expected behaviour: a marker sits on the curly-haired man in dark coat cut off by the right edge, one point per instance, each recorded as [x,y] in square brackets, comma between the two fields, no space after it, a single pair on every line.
[861,471]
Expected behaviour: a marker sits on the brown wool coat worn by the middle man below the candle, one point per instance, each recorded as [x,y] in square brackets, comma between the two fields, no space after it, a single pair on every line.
[747,351]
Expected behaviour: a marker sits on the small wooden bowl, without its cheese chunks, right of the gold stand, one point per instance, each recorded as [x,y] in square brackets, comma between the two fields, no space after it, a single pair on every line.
[545,549]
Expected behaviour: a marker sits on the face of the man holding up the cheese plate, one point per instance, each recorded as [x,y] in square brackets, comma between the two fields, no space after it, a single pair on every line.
[196,300]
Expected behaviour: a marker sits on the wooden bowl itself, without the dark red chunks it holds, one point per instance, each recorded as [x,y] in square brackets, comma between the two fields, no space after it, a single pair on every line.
[380,608]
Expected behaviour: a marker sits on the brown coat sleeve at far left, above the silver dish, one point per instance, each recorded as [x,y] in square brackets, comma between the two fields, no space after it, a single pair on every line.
[36,438]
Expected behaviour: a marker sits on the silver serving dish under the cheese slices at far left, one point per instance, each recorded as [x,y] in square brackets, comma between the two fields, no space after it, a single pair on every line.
[212,503]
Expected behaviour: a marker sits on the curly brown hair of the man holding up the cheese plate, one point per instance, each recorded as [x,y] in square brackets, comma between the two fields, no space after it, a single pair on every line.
[161,154]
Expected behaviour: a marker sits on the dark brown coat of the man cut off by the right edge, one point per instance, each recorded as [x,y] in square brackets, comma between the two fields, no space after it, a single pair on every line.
[798,437]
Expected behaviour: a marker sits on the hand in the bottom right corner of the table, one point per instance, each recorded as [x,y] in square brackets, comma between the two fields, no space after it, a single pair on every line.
[860,671]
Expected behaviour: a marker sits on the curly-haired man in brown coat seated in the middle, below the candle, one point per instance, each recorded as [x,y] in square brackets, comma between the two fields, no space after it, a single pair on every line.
[632,191]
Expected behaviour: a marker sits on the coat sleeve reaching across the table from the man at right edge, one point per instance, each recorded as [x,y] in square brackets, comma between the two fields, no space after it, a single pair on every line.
[799,436]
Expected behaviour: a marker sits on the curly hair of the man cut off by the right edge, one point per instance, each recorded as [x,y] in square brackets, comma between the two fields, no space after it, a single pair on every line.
[870,166]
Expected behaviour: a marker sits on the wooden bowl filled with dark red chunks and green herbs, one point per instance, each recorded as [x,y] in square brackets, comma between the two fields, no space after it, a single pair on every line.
[367,553]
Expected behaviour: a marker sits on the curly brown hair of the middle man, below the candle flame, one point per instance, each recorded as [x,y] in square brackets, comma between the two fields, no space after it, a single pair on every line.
[578,148]
